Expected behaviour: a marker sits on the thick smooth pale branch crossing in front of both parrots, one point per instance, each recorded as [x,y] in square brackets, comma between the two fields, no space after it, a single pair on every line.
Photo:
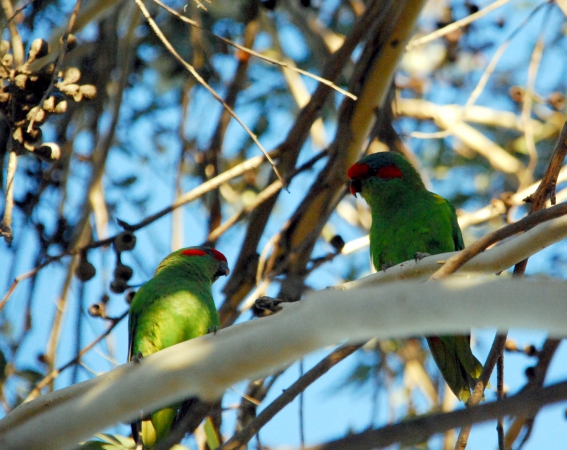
[208,365]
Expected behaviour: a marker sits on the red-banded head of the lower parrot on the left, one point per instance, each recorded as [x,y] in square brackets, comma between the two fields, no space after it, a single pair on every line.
[205,260]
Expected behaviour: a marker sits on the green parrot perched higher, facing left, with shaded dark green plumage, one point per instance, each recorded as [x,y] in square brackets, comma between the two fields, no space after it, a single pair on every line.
[408,221]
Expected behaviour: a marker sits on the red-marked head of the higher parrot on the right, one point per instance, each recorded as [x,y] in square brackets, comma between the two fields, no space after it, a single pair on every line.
[382,171]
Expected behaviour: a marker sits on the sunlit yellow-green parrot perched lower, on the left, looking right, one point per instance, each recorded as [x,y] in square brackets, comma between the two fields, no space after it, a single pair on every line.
[174,306]
